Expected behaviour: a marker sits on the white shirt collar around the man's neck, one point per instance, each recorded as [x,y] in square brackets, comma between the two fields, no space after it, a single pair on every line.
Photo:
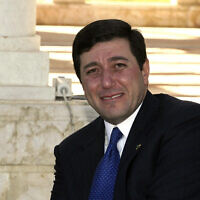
[124,126]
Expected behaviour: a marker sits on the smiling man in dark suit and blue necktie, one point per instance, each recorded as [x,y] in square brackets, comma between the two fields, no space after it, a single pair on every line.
[157,155]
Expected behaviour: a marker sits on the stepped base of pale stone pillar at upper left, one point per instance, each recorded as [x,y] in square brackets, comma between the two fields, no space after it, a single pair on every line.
[23,67]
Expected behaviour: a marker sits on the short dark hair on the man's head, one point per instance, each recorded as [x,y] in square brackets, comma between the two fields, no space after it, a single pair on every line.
[106,30]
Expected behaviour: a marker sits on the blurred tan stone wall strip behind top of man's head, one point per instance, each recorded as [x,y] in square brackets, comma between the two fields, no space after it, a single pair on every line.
[186,13]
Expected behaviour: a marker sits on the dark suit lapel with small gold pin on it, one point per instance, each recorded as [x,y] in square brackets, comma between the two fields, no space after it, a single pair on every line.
[136,141]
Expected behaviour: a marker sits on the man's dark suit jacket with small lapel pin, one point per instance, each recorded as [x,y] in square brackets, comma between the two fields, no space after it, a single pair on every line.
[160,161]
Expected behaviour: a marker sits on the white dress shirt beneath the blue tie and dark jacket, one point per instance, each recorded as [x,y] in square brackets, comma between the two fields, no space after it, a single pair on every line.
[124,127]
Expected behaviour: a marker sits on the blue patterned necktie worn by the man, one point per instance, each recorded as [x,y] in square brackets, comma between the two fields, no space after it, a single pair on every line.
[104,179]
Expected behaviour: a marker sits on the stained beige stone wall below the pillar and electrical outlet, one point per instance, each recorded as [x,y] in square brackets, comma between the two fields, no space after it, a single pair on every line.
[28,133]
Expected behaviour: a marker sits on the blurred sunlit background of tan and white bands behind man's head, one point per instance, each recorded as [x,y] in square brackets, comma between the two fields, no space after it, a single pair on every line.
[170,27]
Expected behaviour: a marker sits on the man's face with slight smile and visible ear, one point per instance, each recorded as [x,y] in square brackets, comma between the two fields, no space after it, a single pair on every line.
[112,80]
